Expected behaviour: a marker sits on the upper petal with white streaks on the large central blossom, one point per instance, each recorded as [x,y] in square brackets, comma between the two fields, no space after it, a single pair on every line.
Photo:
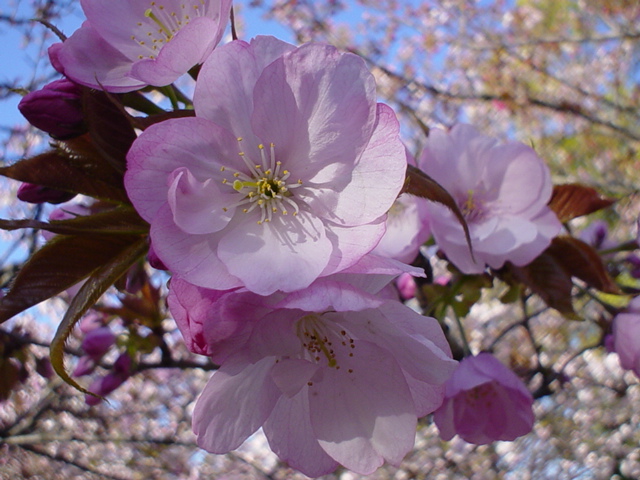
[318,107]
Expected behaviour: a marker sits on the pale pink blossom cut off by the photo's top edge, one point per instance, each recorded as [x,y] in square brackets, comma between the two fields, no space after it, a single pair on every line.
[128,44]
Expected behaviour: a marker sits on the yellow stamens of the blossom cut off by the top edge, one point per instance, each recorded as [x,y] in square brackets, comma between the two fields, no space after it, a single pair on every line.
[160,25]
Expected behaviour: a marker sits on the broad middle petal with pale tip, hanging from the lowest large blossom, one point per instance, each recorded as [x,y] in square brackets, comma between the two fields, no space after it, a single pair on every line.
[365,417]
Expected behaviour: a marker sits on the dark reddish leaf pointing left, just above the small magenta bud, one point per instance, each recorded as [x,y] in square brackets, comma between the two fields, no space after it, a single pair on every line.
[55,169]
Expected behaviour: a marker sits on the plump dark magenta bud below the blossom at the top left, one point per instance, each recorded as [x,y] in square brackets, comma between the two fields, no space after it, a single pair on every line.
[56,108]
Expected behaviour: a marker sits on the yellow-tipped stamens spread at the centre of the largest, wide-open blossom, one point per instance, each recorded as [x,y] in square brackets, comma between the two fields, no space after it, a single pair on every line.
[267,186]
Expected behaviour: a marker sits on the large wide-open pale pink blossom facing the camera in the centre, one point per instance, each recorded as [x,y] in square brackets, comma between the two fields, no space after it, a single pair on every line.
[285,174]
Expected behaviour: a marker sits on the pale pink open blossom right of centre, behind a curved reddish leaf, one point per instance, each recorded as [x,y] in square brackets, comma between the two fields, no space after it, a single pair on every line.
[502,190]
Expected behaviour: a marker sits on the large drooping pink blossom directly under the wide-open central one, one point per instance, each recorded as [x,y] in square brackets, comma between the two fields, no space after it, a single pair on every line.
[332,374]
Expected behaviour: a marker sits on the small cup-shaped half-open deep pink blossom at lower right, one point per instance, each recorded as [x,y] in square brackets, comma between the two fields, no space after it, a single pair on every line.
[484,402]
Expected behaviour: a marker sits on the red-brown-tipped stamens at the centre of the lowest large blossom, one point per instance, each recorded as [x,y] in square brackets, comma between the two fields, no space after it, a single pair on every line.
[321,338]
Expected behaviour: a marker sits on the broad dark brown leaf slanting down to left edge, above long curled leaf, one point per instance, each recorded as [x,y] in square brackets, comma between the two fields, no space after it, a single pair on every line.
[58,265]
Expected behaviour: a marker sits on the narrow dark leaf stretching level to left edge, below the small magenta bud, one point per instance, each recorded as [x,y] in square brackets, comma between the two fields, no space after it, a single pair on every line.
[121,220]
